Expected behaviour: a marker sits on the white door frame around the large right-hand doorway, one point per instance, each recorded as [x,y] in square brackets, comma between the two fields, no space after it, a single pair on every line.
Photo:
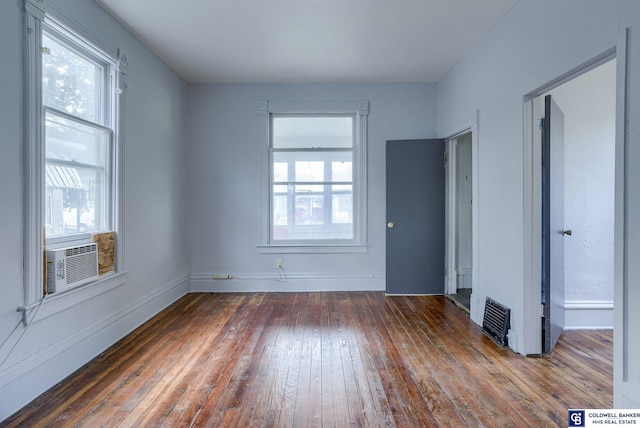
[533,109]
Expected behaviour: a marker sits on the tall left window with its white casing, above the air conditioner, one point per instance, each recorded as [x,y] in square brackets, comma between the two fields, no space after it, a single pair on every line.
[74,95]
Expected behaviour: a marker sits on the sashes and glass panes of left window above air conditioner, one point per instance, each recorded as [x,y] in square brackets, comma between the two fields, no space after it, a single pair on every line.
[76,95]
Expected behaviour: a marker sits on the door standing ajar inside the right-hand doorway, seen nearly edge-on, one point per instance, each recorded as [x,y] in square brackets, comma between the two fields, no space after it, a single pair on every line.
[553,232]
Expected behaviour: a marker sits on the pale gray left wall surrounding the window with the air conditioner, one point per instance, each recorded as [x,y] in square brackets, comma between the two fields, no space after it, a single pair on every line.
[155,243]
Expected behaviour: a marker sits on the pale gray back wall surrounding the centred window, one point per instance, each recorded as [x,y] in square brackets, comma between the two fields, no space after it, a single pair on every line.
[226,173]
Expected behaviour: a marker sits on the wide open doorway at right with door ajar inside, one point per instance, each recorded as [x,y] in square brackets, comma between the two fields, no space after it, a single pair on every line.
[580,247]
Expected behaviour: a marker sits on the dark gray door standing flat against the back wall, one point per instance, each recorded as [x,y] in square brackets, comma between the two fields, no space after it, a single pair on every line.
[415,217]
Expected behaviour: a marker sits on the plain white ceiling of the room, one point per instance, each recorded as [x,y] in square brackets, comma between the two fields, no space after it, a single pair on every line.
[290,41]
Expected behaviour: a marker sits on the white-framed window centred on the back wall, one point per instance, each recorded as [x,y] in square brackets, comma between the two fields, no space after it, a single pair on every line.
[316,168]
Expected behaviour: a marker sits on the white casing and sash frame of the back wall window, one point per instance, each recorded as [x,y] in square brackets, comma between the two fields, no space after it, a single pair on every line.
[340,239]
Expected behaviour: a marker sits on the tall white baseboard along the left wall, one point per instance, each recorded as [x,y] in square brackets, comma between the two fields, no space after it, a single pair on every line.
[24,381]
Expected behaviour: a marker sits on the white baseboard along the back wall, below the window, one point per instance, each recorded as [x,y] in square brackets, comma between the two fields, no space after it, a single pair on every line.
[297,282]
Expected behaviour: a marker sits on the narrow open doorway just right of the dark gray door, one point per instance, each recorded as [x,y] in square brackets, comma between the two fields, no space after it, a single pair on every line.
[460,220]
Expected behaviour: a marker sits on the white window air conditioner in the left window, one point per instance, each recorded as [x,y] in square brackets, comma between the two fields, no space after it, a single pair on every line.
[70,267]
